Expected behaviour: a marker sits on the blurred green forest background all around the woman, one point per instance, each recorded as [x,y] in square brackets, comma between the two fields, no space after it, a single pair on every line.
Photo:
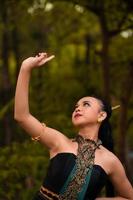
[93,43]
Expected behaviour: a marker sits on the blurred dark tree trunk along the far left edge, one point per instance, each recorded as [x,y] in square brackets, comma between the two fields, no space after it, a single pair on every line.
[6,84]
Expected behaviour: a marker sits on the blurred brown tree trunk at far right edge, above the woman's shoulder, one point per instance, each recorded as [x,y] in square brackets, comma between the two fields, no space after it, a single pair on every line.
[123,124]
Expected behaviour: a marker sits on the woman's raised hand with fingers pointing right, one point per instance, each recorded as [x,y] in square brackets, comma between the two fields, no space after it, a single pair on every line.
[36,61]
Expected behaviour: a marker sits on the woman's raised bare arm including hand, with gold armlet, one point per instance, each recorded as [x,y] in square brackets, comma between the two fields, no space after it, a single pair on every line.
[51,138]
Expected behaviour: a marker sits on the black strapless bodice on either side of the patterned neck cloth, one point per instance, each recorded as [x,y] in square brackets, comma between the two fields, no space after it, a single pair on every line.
[59,168]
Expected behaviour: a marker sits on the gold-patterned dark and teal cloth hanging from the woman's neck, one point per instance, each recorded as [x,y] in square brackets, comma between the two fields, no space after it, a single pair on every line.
[84,163]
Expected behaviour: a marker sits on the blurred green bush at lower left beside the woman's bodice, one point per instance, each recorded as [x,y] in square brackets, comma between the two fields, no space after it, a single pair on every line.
[22,168]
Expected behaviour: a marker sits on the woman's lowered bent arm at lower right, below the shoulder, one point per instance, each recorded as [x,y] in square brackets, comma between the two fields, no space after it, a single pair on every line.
[120,182]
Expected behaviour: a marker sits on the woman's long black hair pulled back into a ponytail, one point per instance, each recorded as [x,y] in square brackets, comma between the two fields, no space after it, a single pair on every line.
[105,135]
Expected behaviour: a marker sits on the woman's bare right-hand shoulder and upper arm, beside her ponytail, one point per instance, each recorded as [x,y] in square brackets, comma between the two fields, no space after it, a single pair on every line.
[116,173]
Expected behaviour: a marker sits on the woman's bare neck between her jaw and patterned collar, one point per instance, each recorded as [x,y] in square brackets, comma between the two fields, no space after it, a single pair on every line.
[89,132]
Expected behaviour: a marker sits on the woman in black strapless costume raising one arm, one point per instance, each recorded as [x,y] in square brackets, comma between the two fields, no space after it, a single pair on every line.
[78,168]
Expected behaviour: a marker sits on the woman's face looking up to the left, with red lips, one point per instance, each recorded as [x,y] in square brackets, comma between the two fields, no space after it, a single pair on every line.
[87,111]
